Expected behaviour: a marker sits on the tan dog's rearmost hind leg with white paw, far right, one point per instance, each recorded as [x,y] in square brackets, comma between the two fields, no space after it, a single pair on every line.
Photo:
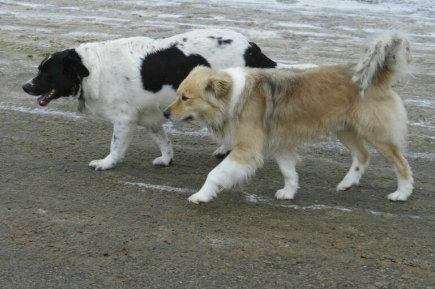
[391,152]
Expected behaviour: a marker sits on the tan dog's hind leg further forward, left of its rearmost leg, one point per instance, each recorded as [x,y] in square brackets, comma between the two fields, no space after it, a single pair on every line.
[360,158]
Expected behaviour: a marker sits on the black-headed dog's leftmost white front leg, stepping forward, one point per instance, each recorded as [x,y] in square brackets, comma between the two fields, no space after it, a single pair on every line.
[121,139]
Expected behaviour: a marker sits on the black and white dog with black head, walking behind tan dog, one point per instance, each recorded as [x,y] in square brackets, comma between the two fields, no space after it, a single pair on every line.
[131,81]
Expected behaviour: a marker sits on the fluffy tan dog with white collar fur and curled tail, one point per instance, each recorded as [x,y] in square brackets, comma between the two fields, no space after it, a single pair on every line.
[269,112]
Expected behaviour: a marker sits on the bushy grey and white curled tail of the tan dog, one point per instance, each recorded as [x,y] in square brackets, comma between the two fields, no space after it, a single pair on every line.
[386,59]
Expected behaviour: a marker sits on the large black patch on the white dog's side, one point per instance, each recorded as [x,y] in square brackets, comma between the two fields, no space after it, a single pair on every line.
[168,67]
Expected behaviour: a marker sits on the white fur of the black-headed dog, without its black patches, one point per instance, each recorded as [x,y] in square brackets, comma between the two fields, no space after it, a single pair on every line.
[127,104]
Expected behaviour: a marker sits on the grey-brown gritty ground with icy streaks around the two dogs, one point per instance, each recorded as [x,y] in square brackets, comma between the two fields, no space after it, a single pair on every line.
[63,225]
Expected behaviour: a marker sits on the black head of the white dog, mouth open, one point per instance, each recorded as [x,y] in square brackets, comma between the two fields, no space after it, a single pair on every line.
[60,74]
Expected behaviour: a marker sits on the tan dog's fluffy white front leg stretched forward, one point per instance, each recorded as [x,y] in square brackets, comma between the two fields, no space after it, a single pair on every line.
[226,175]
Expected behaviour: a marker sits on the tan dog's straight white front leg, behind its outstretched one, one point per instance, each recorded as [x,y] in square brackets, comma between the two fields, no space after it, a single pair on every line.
[287,164]
